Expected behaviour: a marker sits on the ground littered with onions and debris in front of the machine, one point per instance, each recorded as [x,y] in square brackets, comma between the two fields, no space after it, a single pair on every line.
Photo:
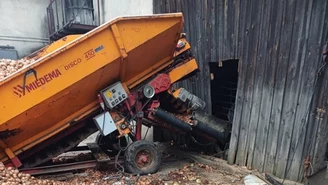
[173,171]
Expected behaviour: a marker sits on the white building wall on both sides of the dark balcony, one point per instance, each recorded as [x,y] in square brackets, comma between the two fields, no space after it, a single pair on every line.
[24,22]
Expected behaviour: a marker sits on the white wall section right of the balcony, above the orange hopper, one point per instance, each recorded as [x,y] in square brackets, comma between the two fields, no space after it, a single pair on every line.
[111,9]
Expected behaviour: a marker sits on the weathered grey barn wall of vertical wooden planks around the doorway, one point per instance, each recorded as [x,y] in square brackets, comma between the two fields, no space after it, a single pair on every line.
[279,45]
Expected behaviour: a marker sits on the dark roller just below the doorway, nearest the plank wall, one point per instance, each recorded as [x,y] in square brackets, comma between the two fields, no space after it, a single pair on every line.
[221,136]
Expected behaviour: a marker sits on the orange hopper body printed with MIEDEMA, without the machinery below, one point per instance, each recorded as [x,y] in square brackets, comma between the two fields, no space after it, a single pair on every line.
[71,72]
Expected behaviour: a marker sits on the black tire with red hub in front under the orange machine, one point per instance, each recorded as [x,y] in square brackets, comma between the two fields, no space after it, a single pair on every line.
[136,151]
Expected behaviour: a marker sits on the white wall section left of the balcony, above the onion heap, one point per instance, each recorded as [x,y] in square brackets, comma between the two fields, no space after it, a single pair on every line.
[23,24]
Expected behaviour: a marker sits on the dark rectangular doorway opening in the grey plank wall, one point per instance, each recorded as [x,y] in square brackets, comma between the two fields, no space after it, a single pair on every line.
[224,80]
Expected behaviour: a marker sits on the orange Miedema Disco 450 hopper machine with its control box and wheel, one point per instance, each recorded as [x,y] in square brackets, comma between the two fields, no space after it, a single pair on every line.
[103,80]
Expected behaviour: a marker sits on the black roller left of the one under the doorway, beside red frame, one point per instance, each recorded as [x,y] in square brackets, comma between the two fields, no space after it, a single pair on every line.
[169,118]
